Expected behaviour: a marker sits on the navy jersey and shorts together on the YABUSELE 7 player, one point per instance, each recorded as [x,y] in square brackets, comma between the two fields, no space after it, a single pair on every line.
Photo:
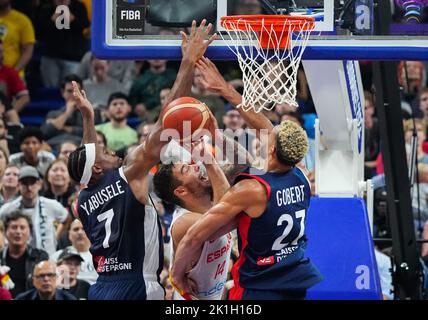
[126,240]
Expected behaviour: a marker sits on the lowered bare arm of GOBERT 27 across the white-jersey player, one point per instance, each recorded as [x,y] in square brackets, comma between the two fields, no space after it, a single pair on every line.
[246,196]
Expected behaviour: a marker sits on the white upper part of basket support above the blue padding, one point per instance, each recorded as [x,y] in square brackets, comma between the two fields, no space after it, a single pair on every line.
[337,92]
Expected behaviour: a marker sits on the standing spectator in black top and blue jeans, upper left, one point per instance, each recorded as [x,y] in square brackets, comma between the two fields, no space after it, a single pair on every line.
[63,48]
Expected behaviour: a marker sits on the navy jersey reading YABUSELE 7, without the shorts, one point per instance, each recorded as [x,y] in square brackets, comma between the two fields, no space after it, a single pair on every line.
[125,235]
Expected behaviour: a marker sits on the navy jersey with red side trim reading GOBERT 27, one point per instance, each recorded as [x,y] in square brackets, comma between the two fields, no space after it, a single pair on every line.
[272,246]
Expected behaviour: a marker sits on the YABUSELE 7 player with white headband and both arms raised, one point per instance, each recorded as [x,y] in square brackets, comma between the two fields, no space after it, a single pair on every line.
[115,208]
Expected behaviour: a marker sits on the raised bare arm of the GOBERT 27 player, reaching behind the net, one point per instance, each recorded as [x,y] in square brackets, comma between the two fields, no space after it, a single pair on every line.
[214,82]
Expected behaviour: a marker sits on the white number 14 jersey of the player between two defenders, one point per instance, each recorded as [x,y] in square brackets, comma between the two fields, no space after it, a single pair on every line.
[210,272]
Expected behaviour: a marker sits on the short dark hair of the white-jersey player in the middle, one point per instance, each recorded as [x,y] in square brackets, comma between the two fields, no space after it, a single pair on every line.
[165,183]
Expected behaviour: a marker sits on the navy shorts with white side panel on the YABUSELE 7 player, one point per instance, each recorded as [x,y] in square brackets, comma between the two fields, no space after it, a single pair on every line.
[126,287]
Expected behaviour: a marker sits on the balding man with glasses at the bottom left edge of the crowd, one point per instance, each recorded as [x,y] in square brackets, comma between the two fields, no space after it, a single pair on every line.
[44,281]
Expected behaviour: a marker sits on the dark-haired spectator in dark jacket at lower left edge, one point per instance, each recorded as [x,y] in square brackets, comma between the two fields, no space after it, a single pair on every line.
[18,254]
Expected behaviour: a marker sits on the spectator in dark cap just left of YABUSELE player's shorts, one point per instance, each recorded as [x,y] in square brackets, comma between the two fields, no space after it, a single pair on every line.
[68,263]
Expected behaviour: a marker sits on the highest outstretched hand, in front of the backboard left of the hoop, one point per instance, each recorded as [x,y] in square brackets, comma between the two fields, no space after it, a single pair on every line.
[193,46]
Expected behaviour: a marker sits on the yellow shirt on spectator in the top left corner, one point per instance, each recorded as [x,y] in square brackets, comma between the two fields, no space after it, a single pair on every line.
[16,30]
